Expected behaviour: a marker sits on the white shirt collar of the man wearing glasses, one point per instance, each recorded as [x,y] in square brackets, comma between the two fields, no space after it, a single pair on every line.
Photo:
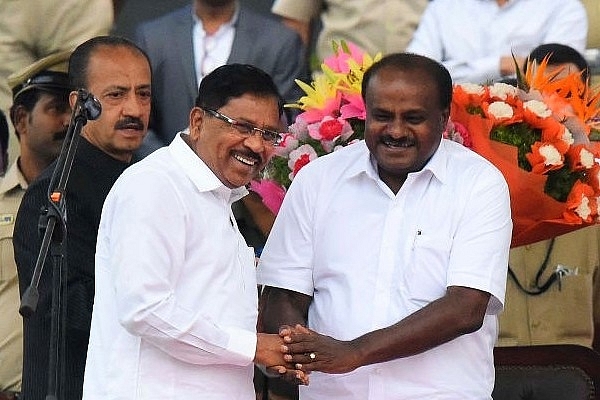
[199,173]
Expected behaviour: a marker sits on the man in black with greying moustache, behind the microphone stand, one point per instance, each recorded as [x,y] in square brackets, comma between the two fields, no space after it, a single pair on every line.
[118,73]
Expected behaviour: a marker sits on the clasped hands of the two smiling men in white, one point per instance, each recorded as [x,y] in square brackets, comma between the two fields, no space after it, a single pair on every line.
[305,350]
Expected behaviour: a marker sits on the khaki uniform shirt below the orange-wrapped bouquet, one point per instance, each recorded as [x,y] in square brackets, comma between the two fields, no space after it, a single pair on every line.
[564,314]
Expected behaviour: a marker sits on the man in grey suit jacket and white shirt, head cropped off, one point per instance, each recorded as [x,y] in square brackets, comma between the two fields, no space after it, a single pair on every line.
[190,42]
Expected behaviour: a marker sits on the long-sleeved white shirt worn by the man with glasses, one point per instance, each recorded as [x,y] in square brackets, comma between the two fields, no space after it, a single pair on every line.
[176,299]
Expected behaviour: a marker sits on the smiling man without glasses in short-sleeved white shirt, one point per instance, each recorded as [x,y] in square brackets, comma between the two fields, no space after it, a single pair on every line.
[394,250]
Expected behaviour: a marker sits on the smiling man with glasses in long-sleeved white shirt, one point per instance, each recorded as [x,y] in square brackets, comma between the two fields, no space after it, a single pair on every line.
[176,296]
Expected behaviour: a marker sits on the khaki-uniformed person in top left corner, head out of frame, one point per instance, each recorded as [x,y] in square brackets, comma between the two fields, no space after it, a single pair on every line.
[33,29]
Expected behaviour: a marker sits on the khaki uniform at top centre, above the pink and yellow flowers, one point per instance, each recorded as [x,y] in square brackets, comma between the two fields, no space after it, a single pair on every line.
[374,25]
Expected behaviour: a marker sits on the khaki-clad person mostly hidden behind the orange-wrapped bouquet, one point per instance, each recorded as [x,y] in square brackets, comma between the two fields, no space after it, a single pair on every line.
[553,288]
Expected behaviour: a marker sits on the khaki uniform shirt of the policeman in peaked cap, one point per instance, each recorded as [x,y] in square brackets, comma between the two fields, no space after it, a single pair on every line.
[12,188]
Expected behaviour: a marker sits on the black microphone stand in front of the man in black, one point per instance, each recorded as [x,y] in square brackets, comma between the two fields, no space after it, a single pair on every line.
[54,215]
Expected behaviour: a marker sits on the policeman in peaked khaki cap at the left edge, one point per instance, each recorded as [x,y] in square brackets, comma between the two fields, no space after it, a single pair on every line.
[40,115]
